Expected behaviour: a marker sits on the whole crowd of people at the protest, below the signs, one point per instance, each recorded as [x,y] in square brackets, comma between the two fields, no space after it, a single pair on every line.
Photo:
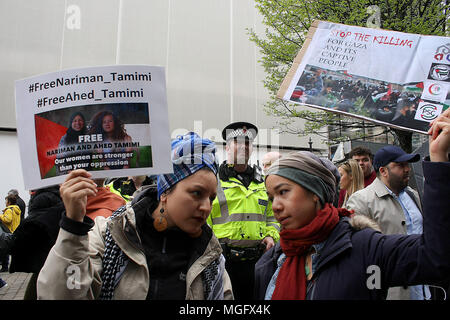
[304,228]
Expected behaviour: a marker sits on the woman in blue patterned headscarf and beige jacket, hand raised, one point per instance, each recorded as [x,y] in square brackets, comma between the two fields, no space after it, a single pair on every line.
[156,247]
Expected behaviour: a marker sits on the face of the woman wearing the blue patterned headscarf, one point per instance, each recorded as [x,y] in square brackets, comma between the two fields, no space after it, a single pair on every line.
[189,203]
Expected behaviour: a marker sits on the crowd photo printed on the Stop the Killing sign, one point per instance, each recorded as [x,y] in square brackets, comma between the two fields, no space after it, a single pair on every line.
[378,100]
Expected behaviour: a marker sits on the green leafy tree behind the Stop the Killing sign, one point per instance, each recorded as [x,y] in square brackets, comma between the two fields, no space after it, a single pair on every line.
[287,24]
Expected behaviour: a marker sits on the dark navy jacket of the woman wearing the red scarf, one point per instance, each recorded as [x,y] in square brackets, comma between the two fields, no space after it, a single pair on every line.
[348,262]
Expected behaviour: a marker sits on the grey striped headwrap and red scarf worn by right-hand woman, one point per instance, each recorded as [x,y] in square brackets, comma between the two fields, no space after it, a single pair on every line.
[319,176]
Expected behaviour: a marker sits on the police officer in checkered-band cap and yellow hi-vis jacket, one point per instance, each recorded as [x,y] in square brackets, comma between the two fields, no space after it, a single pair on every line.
[242,217]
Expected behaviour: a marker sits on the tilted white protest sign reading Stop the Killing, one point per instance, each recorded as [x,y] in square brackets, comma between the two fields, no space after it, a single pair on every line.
[387,77]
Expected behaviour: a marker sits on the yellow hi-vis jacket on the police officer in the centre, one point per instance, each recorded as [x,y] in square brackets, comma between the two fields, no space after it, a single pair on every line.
[242,217]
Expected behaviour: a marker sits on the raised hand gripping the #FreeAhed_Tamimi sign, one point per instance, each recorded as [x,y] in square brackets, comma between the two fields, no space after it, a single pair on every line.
[75,191]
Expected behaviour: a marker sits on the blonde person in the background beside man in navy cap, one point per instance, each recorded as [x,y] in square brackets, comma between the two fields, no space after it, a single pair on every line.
[352,178]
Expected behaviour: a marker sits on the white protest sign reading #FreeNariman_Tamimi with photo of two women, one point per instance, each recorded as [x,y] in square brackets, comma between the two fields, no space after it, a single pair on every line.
[111,121]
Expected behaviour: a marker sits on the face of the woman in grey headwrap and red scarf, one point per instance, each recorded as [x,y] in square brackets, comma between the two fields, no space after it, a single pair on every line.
[293,206]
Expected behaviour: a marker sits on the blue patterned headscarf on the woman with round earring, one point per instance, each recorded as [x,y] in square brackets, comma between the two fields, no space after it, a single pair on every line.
[190,153]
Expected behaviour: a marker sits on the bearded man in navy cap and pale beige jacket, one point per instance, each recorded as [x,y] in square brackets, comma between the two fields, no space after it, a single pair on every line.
[393,205]
